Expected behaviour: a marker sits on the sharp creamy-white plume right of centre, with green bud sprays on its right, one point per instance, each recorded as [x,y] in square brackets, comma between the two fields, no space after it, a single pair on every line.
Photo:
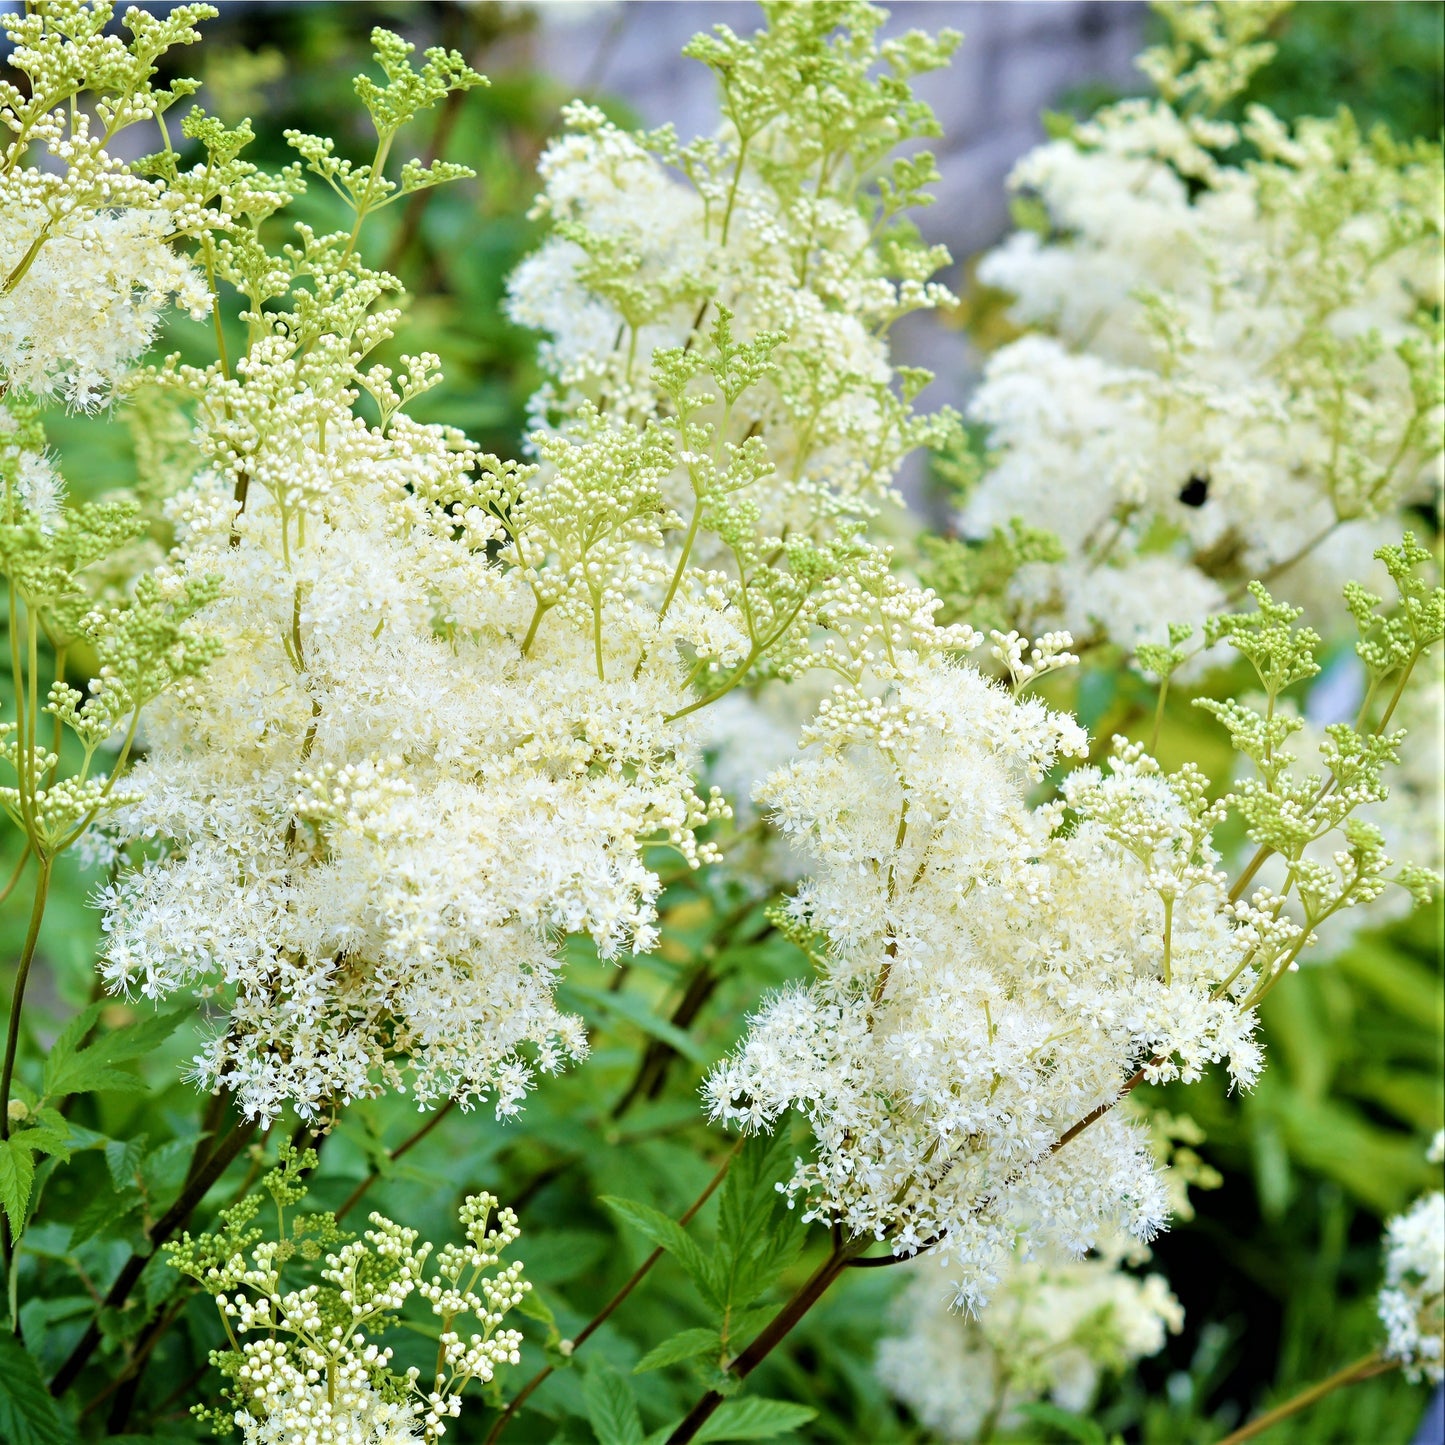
[995,972]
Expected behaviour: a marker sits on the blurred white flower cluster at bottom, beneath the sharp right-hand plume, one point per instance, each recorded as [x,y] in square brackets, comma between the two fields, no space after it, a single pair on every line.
[1054,1329]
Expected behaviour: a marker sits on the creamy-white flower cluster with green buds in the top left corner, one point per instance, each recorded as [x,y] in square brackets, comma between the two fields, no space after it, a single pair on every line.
[87,265]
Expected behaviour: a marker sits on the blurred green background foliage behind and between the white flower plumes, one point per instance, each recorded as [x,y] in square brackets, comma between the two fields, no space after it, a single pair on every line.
[1280,1265]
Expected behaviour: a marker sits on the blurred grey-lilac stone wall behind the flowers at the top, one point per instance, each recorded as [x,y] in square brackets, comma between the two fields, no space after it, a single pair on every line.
[1018,59]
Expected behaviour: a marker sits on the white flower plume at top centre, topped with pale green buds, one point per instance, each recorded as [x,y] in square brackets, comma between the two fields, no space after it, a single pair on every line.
[768,223]
